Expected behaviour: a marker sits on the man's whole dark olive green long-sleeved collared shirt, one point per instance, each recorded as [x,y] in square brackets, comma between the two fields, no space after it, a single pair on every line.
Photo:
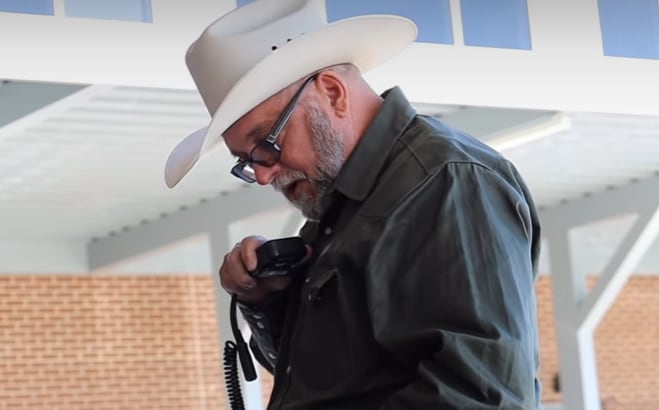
[421,291]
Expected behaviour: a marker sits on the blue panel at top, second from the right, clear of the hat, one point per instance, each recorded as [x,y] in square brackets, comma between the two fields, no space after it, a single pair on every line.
[496,23]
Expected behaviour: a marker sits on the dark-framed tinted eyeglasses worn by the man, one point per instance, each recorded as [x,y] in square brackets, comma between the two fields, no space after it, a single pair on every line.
[267,152]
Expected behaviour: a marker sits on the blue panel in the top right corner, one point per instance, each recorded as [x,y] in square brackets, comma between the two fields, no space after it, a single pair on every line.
[630,28]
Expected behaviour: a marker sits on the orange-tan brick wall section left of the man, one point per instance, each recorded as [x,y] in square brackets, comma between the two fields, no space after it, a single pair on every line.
[108,342]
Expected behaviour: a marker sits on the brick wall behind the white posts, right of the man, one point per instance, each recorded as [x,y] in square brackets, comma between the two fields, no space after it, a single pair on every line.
[626,343]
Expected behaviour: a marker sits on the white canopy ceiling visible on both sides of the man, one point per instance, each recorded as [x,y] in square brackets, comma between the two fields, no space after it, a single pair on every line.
[91,163]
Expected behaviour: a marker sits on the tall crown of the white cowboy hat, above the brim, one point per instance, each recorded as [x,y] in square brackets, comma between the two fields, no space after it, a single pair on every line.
[237,41]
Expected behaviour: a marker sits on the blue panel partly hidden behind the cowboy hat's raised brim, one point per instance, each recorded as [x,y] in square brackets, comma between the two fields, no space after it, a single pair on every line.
[432,17]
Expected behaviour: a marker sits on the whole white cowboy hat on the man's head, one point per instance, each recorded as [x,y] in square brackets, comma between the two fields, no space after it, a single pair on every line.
[255,51]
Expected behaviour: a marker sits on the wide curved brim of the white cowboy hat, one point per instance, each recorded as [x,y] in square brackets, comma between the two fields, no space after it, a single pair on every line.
[364,41]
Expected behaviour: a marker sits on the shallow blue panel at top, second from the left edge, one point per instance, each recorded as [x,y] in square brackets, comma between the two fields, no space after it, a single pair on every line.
[128,10]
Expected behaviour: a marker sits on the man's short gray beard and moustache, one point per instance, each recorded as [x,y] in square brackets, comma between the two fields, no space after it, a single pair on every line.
[328,146]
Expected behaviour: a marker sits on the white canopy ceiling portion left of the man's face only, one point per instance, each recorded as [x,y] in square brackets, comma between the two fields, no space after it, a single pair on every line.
[87,165]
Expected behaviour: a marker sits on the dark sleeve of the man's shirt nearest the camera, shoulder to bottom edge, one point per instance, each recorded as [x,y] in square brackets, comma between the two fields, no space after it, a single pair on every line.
[451,292]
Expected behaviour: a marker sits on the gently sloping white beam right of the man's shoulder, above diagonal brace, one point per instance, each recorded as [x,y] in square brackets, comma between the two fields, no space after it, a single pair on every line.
[618,201]
